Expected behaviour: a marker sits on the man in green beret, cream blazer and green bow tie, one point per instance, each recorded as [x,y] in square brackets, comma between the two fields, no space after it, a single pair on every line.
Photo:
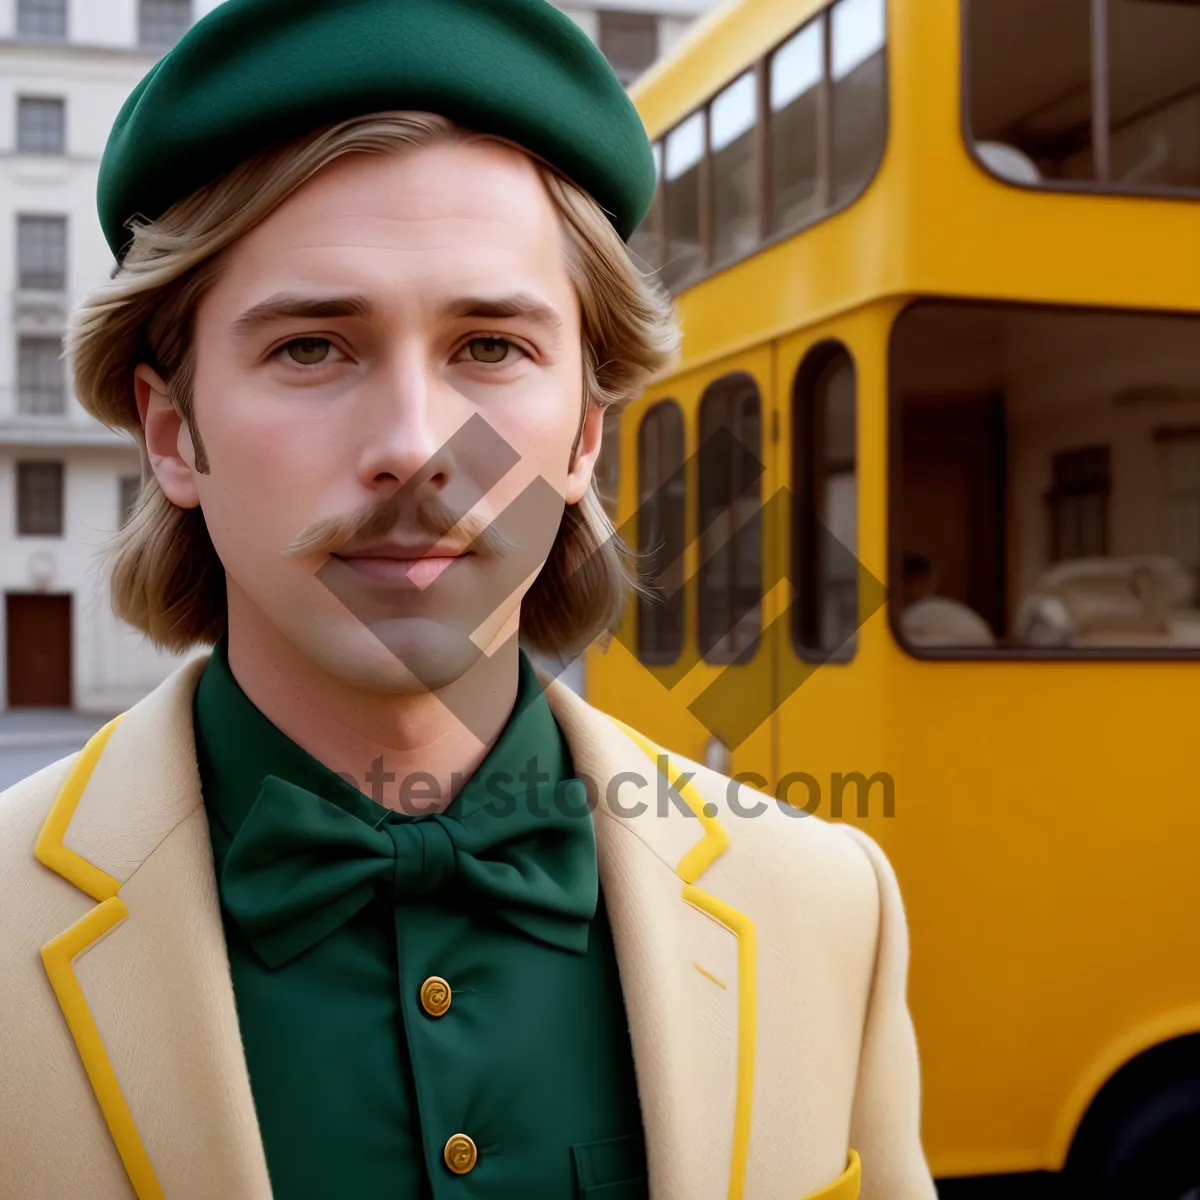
[352,908]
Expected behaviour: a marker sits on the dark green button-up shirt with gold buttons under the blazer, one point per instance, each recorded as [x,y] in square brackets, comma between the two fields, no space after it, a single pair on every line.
[358,1089]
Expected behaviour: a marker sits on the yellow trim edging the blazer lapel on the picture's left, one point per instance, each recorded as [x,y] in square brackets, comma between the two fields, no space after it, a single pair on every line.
[59,956]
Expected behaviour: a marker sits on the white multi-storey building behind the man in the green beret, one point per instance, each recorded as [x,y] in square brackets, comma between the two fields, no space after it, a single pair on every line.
[65,70]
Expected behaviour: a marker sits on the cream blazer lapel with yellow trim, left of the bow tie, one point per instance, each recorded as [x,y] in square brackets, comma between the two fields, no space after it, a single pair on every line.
[143,979]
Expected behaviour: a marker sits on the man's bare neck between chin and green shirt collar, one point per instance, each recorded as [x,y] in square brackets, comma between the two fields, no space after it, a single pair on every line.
[407,752]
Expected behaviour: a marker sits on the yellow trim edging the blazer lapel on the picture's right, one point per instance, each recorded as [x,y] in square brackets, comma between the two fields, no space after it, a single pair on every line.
[691,868]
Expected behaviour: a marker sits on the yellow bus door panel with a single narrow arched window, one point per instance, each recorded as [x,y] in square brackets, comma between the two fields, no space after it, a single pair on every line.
[833,549]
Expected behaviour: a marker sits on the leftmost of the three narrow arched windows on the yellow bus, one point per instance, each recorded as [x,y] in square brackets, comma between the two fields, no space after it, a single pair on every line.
[661,532]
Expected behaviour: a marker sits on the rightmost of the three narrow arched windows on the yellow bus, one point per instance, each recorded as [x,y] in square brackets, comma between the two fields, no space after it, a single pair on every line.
[825,487]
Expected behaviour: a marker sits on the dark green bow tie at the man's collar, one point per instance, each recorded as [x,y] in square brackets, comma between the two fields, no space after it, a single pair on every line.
[301,867]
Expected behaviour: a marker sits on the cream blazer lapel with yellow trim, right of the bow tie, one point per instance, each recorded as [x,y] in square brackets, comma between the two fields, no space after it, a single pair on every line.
[687,958]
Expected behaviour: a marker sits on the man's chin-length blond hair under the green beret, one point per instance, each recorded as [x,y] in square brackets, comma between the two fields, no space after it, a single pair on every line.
[166,579]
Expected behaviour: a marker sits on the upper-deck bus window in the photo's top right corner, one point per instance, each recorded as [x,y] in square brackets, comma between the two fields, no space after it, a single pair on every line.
[1101,94]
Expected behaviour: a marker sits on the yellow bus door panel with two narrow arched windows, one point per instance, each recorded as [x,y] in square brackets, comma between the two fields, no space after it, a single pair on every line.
[700,649]
